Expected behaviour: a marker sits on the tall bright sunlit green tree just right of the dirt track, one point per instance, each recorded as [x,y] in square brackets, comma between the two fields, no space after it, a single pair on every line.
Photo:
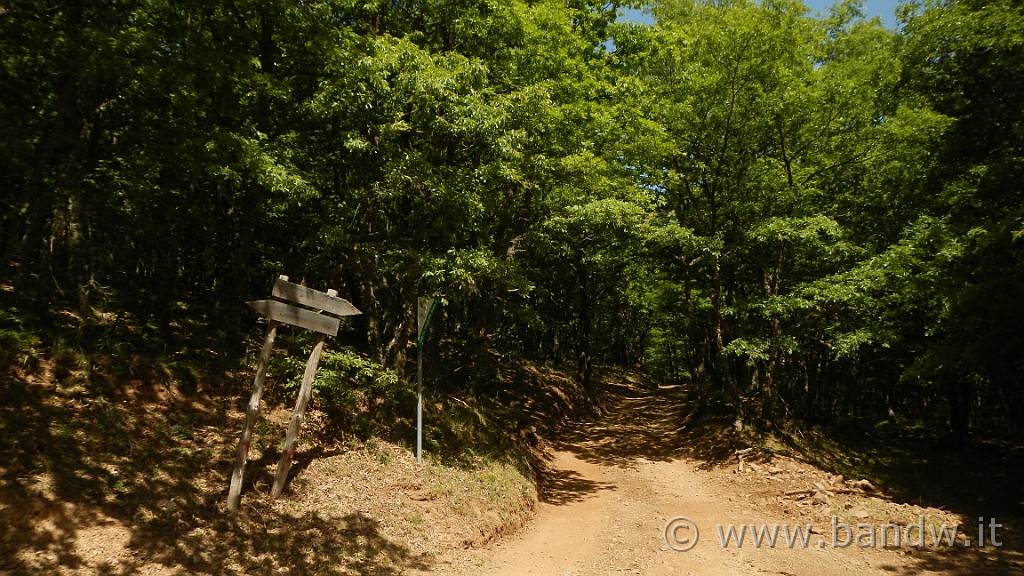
[782,143]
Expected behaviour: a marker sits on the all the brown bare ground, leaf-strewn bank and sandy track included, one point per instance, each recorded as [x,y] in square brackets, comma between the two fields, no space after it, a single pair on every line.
[135,482]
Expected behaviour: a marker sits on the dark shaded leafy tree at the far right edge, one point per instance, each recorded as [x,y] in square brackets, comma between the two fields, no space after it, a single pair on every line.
[965,58]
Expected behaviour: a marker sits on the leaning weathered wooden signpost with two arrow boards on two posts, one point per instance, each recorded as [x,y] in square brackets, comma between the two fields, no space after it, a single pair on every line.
[279,313]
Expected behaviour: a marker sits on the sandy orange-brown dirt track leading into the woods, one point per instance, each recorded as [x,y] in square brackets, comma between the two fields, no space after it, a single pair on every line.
[615,486]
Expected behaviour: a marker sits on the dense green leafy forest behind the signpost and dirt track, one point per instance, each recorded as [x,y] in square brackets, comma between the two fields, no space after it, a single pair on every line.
[803,219]
